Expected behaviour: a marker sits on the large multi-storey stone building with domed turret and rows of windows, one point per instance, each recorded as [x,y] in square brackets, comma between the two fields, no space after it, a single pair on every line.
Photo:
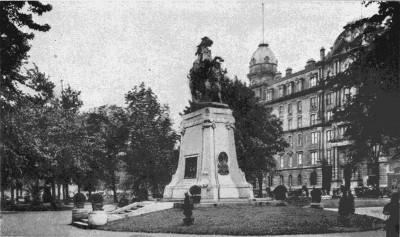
[305,106]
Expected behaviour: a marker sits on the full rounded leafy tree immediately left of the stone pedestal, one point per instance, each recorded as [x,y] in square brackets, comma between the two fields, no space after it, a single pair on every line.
[151,159]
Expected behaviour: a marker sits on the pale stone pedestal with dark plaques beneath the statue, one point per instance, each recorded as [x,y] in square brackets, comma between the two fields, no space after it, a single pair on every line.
[208,159]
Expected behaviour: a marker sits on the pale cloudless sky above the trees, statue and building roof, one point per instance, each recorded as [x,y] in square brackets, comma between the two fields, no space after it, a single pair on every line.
[104,49]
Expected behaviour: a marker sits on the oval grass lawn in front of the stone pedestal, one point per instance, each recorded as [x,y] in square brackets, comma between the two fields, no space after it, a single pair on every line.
[245,220]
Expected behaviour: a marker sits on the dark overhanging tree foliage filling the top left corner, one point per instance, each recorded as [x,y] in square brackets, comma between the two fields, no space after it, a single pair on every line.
[14,44]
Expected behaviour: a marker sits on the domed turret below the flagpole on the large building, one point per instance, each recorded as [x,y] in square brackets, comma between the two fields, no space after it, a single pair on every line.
[263,61]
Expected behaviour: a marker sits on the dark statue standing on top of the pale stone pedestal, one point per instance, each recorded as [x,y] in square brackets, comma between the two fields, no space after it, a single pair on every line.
[206,75]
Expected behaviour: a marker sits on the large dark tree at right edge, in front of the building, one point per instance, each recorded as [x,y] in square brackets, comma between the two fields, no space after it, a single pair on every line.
[372,122]
